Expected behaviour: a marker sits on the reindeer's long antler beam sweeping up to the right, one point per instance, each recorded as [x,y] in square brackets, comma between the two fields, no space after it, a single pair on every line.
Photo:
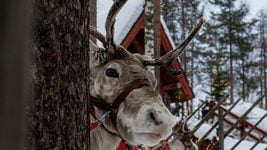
[167,58]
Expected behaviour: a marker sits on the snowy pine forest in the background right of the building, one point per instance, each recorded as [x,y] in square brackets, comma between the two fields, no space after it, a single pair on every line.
[229,55]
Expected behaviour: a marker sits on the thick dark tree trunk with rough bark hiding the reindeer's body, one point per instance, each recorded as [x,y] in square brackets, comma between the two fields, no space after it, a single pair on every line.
[60,46]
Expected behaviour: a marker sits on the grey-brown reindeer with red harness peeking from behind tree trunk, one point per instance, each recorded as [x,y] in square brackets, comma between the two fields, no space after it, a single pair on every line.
[124,104]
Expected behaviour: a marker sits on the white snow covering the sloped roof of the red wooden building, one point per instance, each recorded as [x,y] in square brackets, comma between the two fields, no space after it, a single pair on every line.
[125,19]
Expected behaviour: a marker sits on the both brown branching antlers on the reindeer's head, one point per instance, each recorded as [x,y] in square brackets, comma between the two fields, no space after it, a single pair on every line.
[111,47]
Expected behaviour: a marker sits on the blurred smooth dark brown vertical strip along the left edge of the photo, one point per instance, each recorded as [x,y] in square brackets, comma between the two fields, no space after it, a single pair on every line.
[14,71]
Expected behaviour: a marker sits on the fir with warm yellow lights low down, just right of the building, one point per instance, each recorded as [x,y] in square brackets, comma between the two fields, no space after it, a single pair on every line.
[213,71]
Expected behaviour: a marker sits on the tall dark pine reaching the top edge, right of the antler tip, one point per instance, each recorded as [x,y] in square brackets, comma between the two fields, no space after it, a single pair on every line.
[230,22]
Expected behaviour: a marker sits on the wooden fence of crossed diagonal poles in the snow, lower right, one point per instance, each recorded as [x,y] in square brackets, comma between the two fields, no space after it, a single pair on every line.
[237,123]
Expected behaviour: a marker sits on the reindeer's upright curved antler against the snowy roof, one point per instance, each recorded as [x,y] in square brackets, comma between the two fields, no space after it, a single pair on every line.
[110,44]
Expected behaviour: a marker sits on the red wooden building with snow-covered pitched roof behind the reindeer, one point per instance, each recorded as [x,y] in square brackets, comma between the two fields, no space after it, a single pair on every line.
[129,32]
